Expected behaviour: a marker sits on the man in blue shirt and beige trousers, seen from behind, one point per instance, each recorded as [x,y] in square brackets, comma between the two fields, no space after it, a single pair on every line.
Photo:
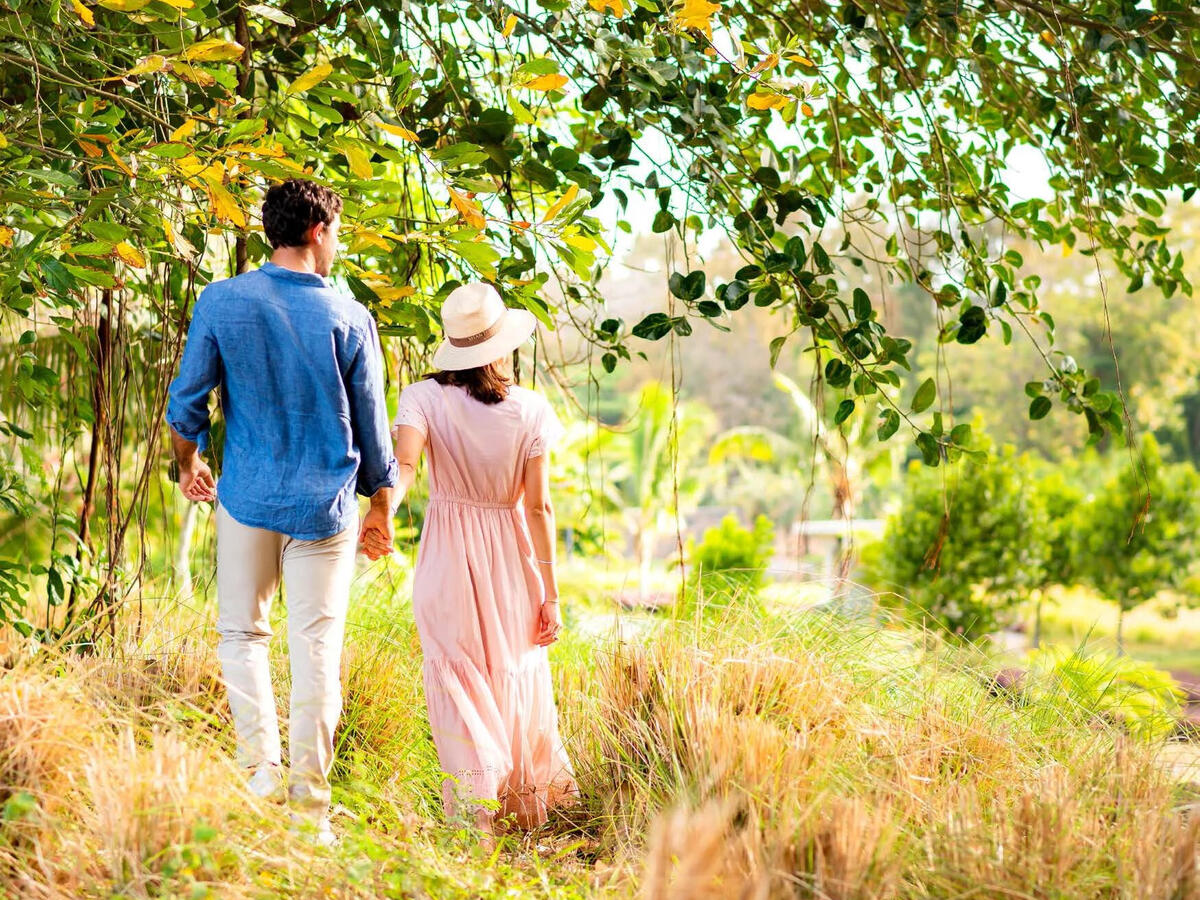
[307,428]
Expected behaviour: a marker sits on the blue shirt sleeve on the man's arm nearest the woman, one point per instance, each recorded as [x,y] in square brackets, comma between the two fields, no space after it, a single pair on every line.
[369,416]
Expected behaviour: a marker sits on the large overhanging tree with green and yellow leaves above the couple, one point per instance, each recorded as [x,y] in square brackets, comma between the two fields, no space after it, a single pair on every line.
[477,140]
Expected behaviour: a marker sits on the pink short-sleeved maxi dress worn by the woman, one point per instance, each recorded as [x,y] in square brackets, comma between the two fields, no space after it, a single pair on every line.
[477,597]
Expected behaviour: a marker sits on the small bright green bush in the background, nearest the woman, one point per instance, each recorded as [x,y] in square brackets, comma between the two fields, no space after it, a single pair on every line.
[730,565]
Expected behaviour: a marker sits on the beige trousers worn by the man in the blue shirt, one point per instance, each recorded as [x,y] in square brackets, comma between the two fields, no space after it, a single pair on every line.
[317,577]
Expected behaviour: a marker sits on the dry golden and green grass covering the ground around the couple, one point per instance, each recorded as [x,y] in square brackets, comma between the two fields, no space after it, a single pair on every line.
[751,758]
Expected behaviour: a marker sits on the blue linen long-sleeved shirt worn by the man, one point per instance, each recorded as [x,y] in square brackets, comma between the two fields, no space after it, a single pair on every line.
[302,391]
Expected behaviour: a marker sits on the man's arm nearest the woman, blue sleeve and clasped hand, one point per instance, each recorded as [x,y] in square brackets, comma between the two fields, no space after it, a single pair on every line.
[369,417]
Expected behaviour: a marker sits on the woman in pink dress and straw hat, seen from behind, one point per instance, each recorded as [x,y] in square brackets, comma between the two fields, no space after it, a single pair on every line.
[484,592]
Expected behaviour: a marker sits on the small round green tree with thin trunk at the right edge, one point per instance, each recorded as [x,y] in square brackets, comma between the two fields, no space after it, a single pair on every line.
[1138,535]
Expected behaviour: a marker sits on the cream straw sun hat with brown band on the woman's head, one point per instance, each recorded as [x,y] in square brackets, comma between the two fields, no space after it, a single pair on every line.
[479,328]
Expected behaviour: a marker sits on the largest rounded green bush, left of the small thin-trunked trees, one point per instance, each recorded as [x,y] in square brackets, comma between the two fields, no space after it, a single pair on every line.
[968,544]
